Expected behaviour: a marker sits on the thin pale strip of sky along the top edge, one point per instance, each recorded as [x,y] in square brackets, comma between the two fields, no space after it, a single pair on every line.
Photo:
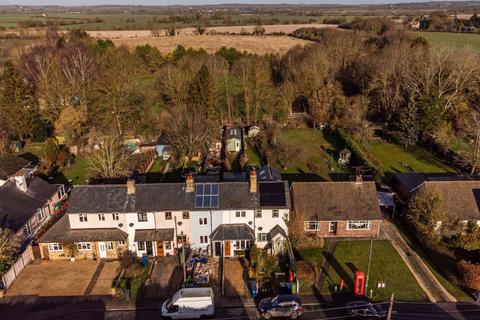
[192,2]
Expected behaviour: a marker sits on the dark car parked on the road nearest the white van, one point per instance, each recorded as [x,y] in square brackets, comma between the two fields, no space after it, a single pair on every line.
[282,305]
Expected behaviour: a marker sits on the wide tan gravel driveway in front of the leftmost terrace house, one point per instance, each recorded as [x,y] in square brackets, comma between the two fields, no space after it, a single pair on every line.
[65,278]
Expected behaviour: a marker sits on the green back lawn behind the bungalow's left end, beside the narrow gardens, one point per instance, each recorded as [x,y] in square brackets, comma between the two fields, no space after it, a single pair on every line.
[311,159]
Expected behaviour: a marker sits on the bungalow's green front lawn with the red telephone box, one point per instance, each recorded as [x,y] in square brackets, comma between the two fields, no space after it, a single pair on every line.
[386,266]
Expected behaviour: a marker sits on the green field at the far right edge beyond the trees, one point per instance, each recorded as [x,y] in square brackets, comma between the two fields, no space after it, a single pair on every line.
[457,41]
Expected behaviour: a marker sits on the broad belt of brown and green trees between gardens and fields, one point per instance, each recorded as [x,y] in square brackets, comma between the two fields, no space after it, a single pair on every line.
[79,88]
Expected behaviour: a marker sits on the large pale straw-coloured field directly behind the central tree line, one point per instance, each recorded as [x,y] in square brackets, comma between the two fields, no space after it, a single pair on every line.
[211,44]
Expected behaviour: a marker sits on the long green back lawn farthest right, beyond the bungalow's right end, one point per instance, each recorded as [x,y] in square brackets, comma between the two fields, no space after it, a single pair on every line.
[395,158]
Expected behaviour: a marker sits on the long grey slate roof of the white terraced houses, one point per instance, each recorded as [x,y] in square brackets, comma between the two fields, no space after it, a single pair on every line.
[172,197]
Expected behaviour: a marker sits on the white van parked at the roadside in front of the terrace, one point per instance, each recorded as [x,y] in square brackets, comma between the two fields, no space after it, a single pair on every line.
[189,303]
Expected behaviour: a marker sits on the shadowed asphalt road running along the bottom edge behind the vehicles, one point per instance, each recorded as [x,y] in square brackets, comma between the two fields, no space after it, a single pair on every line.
[46,309]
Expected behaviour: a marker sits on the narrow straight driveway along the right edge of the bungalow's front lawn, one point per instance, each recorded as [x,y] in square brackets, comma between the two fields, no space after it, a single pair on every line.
[432,287]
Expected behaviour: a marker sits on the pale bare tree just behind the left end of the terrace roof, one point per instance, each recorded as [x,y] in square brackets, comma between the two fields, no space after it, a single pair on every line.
[111,160]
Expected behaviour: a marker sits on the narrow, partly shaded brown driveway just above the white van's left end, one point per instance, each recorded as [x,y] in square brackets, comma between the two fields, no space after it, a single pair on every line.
[166,278]
